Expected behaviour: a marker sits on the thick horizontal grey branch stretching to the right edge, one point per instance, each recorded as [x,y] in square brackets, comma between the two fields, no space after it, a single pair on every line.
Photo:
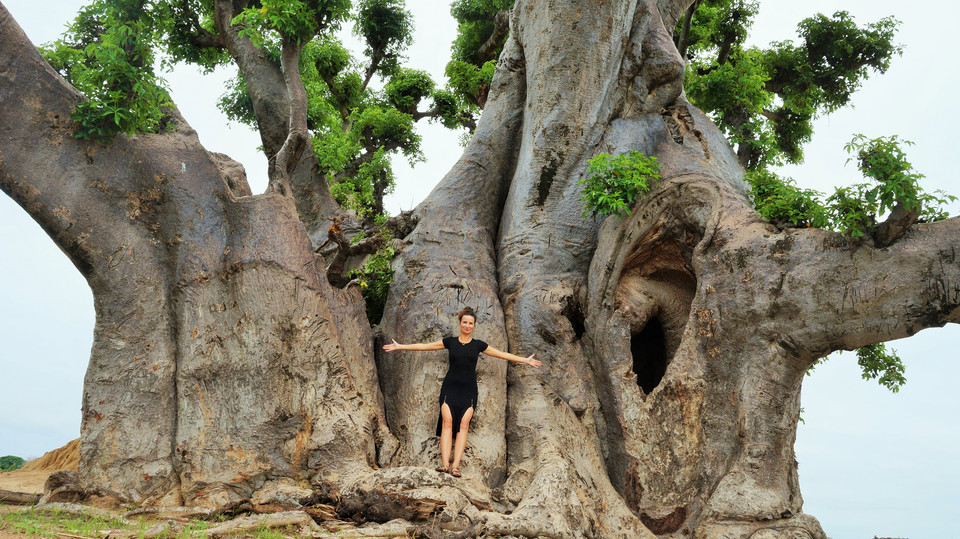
[848,292]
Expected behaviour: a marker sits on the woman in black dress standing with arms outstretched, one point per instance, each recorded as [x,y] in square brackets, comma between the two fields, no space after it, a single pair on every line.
[458,395]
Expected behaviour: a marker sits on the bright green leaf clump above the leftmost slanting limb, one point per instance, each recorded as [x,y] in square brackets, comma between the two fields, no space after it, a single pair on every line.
[107,54]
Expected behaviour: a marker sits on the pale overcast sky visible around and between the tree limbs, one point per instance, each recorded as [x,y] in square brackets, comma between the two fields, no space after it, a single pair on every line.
[871,463]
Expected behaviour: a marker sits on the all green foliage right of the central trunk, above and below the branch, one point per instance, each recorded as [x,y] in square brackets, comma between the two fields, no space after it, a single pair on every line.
[766,99]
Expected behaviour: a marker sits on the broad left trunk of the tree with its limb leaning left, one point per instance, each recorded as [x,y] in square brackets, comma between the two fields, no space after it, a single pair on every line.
[219,345]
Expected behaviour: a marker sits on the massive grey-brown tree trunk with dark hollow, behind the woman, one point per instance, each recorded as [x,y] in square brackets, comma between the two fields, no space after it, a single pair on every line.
[674,339]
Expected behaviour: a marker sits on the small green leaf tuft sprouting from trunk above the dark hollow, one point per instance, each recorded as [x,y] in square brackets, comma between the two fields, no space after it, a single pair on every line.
[613,183]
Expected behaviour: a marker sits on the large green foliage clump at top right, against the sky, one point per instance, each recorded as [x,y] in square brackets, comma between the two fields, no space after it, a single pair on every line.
[765,100]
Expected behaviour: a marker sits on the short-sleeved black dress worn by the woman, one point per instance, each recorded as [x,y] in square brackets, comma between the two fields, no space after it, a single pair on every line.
[459,389]
